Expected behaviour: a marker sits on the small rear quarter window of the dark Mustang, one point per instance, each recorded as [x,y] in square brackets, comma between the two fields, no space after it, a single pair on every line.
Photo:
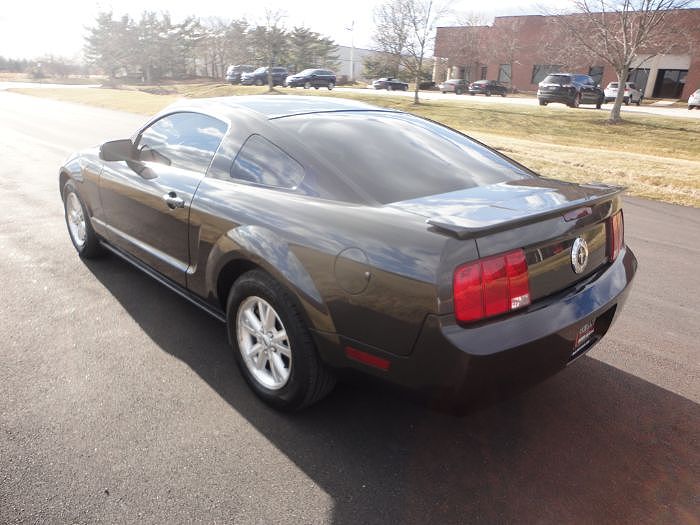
[261,162]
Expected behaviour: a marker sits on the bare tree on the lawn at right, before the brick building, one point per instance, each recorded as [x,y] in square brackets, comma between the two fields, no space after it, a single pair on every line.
[618,32]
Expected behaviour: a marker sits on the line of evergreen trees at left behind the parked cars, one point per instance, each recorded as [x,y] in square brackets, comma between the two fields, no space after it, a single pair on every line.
[153,47]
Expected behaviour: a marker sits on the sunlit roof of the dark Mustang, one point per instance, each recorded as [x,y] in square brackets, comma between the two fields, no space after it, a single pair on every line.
[277,106]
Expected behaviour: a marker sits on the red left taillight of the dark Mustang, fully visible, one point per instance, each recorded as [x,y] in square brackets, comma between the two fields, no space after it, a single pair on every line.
[491,286]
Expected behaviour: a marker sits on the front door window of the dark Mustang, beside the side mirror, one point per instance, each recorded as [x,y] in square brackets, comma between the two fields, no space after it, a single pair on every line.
[182,140]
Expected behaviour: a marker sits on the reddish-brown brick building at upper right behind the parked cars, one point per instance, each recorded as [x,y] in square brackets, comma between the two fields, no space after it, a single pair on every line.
[521,50]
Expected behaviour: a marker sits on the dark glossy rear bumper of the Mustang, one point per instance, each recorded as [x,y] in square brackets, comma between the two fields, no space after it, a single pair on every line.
[492,359]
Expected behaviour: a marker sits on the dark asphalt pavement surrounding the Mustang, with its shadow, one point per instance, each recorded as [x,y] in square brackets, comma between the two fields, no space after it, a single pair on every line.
[120,402]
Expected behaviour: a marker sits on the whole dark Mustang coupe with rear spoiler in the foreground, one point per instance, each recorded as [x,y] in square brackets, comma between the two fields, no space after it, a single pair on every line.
[329,237]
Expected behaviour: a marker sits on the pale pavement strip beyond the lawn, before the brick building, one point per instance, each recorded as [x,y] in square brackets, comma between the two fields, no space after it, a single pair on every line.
[527,101]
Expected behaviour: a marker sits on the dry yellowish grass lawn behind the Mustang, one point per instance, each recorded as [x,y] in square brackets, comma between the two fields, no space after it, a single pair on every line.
[655,157]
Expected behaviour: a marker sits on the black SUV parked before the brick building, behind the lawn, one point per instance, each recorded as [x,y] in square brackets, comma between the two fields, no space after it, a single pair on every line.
[570,89]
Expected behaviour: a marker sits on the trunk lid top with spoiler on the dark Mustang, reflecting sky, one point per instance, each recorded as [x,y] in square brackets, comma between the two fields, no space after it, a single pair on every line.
[499,206]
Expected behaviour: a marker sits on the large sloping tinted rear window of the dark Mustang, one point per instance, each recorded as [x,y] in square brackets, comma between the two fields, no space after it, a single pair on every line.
[395,156]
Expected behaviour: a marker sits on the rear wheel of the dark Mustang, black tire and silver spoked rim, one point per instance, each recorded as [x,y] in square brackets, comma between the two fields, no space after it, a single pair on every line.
[272,344]
